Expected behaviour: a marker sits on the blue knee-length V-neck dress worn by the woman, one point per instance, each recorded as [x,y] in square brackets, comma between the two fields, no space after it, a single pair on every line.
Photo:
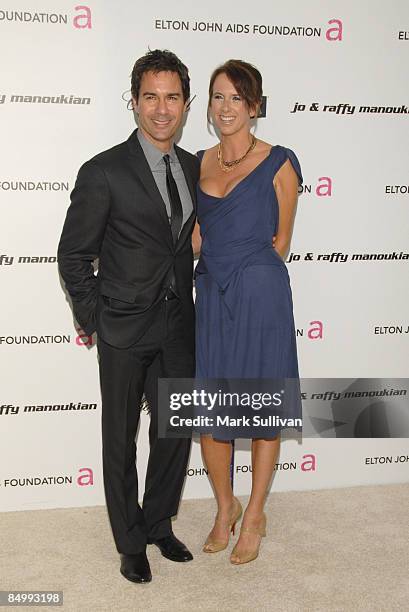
[244,313]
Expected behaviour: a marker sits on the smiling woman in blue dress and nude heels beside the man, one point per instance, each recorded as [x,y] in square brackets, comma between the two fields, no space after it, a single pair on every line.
[245,329]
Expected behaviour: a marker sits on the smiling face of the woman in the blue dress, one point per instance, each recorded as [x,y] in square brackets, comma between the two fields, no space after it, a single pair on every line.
[229,111]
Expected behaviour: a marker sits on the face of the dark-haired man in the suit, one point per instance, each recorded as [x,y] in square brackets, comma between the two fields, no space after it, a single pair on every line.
[160,107]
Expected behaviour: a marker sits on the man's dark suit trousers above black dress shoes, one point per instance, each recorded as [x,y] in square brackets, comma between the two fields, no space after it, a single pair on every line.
[165,350]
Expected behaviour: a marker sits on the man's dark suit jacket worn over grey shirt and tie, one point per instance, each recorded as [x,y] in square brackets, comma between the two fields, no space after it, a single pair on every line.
[117,215]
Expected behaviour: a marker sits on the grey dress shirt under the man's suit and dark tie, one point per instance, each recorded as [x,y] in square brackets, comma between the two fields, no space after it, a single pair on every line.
[154,157]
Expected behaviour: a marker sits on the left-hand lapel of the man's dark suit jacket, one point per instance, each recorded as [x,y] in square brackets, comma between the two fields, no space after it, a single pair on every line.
[141,169]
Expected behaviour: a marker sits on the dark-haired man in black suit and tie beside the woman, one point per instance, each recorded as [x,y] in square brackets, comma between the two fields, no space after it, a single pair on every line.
[133,208]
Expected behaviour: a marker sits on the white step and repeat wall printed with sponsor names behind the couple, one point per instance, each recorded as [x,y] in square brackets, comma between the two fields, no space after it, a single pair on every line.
[335,89]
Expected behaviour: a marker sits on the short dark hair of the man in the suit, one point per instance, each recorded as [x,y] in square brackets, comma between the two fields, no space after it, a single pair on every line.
[159,61]
